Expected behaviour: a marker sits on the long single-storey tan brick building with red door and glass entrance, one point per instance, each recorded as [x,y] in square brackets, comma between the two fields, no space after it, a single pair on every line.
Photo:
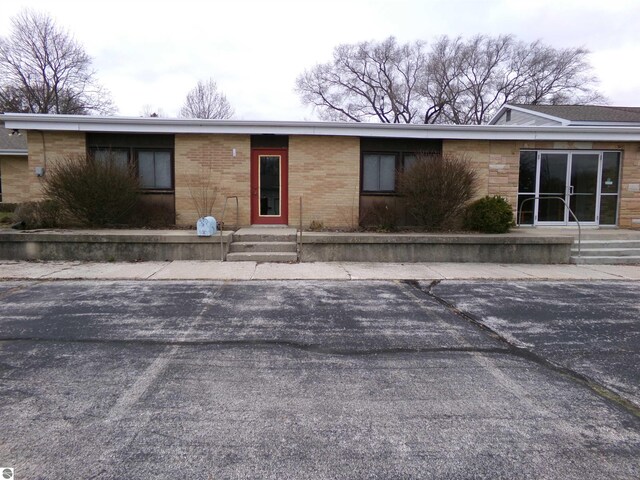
[341,170]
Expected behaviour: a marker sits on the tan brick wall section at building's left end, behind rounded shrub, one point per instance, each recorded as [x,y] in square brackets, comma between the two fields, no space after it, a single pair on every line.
[47,148]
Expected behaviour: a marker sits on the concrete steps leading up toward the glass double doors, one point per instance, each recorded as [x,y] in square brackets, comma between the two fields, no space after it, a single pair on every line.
[606,251]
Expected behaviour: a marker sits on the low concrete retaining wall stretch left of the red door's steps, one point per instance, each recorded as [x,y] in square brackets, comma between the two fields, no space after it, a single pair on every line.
[111,246]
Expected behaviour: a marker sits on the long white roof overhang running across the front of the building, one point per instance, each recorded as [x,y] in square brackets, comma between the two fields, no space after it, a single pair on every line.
[78,123]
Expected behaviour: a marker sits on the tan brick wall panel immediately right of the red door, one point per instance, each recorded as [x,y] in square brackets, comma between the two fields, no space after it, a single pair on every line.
[326,172]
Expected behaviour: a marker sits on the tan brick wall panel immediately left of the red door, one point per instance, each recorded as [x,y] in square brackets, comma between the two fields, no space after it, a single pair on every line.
[200,157]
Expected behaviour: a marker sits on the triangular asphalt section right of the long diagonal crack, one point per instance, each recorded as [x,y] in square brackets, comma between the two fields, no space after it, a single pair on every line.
[592,328]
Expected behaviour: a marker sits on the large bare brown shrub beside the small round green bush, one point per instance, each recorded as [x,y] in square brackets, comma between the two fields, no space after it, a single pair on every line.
[436,189]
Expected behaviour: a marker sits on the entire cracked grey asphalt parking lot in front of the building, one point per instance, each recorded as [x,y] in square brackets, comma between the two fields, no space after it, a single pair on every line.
[317,379]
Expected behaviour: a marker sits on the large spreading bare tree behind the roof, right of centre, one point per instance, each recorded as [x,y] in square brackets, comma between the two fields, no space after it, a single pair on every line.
[455,81]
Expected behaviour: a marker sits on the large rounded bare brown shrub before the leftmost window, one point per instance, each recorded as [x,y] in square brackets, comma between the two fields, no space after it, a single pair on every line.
[94,192]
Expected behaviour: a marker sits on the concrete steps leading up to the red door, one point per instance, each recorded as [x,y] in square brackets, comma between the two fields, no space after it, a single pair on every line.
[263,245]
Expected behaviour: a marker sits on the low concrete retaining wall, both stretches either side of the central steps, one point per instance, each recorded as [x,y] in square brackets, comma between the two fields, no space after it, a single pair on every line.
[114,245]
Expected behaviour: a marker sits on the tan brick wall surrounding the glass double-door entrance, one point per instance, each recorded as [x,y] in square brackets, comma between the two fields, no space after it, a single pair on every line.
[497,163]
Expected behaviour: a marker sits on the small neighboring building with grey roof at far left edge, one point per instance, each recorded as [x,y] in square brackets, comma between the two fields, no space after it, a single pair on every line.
[13,166]
